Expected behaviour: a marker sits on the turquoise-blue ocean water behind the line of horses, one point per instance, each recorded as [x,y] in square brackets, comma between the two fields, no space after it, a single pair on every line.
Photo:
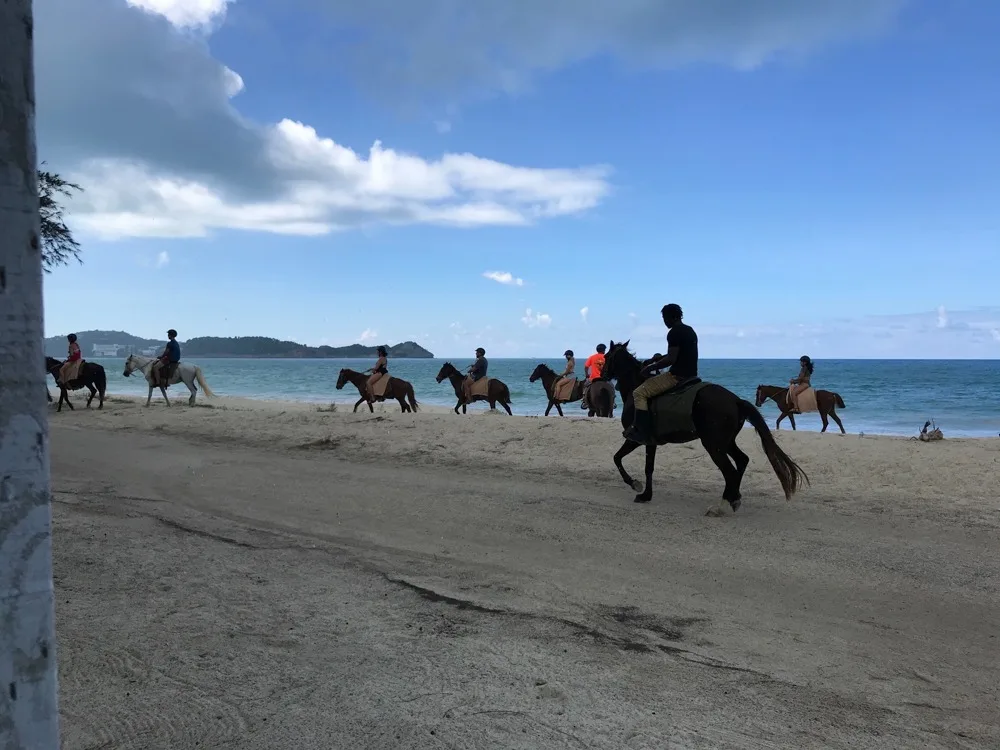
[891,397]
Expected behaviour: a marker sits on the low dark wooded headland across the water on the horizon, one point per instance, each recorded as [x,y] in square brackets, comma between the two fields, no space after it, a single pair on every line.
[121,344]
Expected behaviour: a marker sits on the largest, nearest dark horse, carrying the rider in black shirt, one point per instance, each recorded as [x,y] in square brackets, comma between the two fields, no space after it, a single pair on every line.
[718,415]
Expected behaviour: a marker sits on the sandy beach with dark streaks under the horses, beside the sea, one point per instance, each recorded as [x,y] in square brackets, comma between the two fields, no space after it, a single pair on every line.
[251,574]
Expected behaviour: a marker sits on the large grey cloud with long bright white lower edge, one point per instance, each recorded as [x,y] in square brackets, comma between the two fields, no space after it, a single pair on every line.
[139,113]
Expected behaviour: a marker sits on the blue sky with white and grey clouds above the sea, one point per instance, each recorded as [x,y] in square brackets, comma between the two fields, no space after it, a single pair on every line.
[816,178]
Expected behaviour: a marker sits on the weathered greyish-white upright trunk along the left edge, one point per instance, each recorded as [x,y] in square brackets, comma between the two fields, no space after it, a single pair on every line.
[28,710]
